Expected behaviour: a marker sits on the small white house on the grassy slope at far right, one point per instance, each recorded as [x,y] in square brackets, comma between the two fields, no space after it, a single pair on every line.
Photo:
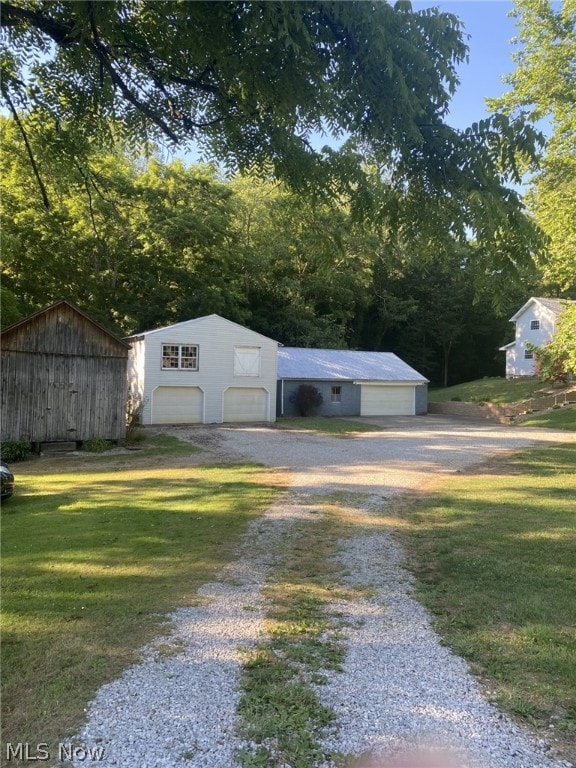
[535,325]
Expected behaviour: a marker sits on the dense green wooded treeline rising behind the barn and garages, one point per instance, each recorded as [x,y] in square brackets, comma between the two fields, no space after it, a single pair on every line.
[139,243]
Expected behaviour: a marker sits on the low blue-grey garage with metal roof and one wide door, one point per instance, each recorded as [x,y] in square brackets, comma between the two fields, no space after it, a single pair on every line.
[351,383]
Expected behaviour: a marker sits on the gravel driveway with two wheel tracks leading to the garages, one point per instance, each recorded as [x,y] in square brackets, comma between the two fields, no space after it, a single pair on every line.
[399,685]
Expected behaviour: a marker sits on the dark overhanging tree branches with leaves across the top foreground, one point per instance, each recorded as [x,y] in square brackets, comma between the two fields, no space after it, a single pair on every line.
[253,83]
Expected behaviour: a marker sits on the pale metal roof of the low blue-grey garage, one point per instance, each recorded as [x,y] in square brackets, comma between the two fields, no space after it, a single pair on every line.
[344,365]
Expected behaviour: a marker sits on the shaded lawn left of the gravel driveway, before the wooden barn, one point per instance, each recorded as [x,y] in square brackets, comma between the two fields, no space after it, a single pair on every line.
[96,552]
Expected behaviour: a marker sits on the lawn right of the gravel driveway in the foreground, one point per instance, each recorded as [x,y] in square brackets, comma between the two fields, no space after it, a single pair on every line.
[494,555]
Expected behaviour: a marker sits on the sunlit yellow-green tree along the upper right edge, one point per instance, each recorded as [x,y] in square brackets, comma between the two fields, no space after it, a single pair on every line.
[543,87]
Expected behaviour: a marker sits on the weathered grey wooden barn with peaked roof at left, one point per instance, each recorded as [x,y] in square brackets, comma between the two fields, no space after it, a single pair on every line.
[63,378]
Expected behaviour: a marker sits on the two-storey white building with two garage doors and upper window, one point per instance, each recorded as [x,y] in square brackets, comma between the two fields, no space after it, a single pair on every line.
[207,371]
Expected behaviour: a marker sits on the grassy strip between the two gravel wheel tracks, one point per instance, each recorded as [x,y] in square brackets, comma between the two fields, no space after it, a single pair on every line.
[280,711]
